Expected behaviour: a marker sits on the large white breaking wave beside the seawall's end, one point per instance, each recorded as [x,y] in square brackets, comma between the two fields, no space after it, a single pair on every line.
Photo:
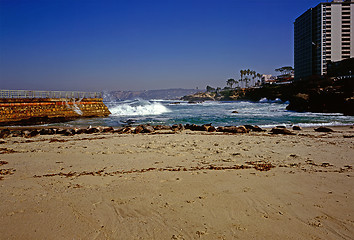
[138,108]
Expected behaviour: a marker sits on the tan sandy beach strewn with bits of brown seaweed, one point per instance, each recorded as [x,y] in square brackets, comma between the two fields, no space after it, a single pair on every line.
[187,185]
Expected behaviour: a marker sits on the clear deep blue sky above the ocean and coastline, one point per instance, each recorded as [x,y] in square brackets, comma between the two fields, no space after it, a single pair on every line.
[100,45]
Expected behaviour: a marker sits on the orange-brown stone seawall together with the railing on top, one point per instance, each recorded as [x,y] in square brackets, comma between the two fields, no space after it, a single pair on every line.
[26,107]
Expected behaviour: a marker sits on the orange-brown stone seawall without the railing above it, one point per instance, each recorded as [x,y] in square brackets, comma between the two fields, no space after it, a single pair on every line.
[27,111]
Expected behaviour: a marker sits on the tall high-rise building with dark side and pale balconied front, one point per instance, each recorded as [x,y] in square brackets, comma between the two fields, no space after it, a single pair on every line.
[322,34]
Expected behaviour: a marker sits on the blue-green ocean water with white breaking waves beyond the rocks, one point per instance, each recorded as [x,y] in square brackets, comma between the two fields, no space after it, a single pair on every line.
[166,112]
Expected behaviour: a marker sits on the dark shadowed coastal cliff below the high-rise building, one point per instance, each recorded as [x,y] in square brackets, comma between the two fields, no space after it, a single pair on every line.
[324,96]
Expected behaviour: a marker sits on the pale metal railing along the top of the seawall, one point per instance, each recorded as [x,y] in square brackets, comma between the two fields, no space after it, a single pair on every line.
[47,94]
